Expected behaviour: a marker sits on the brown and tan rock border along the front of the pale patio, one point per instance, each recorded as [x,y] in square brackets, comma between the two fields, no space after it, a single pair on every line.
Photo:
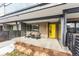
[30,49]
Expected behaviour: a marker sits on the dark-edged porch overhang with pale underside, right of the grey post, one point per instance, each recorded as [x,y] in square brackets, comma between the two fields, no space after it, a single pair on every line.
[72,14]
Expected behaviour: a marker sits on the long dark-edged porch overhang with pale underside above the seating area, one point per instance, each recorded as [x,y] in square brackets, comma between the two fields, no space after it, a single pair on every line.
[39,19]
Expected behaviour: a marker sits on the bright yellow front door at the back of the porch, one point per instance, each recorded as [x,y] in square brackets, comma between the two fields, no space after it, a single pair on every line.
[52,31]
